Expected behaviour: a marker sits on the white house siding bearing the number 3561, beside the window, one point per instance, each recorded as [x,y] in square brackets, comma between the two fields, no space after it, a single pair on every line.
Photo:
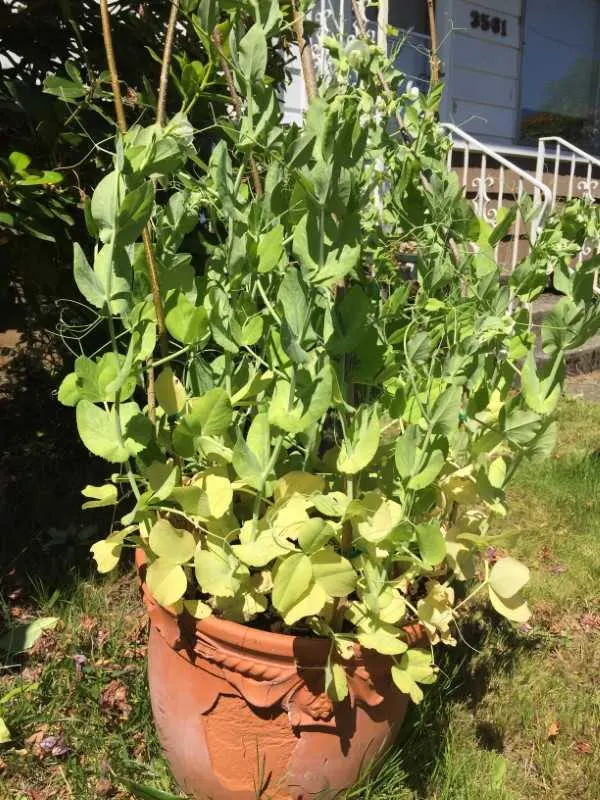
[481,67]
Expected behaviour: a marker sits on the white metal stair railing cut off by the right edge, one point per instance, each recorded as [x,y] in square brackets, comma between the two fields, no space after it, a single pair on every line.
[571,155]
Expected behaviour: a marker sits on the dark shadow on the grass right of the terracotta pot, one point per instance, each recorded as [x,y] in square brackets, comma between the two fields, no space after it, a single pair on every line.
[488,647]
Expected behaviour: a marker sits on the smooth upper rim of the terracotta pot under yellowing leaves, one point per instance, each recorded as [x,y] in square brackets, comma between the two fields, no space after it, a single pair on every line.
[249,638]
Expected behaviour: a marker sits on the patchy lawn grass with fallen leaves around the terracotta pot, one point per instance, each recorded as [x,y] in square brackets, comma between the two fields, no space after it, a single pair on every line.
[515,715]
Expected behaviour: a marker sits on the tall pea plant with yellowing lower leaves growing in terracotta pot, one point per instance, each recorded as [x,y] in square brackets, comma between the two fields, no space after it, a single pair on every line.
[304,438]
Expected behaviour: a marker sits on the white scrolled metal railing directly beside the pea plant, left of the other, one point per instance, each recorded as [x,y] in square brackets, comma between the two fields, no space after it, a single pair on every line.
[482,183]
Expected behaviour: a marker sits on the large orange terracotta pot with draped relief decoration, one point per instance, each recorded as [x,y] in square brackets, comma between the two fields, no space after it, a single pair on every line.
[241,713]
